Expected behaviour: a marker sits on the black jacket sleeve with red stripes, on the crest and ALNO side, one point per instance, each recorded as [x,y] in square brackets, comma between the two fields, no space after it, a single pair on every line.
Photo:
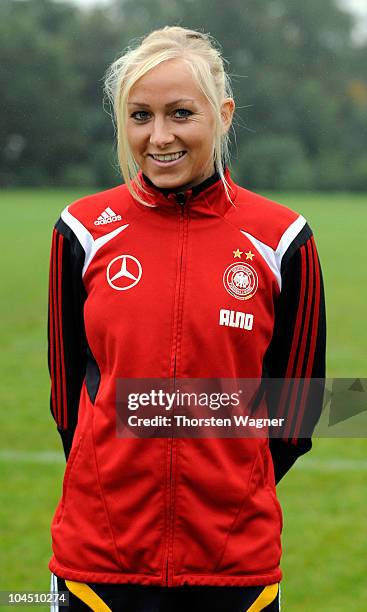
[297,350]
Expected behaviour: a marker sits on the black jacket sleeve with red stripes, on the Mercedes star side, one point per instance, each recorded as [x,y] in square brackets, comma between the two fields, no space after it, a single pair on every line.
[67,347]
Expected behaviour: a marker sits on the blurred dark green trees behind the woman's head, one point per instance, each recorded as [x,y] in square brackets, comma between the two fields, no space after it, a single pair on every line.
[299,81]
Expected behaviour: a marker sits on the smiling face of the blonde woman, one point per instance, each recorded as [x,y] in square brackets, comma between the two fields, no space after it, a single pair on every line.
[168,115]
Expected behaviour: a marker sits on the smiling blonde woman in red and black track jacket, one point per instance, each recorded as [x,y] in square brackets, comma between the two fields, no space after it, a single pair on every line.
[177,274]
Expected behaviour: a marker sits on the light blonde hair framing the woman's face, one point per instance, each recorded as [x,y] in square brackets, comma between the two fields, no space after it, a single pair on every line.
[203,58]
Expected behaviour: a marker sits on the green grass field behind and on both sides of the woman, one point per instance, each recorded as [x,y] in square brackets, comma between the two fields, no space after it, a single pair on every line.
[324,498]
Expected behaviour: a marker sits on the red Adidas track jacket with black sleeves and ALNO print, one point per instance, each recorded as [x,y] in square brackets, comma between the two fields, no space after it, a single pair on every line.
[140,291]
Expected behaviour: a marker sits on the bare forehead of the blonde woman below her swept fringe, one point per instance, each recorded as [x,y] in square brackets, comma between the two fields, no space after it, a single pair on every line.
[170,80]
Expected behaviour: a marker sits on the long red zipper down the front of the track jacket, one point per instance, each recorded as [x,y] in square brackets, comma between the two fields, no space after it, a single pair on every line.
[180,199]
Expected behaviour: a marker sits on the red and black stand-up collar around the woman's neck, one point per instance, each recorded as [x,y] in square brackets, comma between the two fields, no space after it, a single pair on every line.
[209,194]
